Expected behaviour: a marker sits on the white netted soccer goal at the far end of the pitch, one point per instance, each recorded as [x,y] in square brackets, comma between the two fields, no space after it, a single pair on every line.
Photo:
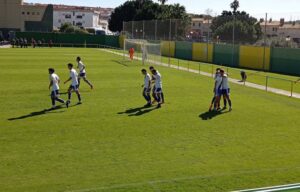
[145,51]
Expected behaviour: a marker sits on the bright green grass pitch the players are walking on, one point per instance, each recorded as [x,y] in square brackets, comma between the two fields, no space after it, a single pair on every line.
[109,143]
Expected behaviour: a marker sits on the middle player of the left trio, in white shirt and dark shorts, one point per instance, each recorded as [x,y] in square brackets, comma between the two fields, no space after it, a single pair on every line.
[74,84]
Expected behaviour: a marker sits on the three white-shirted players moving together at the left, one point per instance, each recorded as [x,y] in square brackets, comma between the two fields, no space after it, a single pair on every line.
[75,83]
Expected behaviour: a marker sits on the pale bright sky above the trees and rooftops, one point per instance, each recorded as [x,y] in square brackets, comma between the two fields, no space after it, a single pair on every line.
[288,9]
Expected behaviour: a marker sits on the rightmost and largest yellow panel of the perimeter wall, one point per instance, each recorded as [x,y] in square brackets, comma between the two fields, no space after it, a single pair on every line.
[255,57]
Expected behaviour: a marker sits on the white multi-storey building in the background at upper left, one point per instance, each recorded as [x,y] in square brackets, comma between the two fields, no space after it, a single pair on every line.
[77,16]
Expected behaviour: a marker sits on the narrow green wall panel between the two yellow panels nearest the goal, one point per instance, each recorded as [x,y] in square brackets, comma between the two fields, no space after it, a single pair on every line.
[184,50]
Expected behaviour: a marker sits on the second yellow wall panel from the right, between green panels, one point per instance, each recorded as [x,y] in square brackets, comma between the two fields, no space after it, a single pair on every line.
[203,52]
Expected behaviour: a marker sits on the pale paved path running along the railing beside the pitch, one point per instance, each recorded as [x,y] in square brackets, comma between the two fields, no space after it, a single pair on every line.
[236,81]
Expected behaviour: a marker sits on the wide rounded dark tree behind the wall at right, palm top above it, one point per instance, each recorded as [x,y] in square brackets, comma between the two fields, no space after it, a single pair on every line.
[246,28]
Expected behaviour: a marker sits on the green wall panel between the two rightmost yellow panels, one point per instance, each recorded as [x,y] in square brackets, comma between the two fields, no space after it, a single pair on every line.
[222,55]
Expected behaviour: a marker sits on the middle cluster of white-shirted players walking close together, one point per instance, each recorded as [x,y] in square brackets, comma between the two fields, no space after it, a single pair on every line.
[157,93]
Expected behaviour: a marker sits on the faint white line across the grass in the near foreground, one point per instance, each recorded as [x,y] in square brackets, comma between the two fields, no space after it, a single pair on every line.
[151,183]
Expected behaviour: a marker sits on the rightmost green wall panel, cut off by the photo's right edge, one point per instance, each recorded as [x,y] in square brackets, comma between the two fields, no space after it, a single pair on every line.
[285,60]
